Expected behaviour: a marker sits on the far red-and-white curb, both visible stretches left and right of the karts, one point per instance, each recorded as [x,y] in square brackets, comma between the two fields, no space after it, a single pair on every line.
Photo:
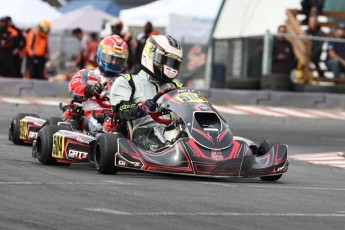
[231,109]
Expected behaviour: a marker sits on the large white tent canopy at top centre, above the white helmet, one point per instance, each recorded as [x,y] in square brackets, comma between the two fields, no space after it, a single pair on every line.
[186,20]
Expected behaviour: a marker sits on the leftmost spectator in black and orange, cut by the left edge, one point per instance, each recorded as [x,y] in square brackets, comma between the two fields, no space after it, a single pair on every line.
[8,42]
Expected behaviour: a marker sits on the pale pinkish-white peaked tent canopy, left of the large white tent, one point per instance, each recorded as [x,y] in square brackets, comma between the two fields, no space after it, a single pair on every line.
[88,18]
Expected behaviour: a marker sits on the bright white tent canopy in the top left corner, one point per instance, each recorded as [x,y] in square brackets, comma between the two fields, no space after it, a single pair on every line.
[28,12]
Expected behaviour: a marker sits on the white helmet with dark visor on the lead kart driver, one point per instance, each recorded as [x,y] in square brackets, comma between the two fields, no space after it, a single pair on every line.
[162,57]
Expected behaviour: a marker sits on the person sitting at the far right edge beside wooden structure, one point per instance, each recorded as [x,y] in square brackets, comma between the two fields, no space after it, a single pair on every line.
[336,53]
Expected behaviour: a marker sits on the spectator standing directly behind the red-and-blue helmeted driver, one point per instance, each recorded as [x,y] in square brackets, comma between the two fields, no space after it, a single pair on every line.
[116,29]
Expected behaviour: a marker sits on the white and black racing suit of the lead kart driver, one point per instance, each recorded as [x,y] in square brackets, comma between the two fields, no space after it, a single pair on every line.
[147,133]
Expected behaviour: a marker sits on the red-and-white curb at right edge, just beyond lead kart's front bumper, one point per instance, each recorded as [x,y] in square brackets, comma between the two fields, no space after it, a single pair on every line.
[335,159]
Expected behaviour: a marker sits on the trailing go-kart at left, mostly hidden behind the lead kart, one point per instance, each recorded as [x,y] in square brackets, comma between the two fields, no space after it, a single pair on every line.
[24,127]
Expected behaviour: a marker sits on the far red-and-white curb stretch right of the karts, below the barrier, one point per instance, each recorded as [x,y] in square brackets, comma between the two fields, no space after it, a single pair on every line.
[279,112]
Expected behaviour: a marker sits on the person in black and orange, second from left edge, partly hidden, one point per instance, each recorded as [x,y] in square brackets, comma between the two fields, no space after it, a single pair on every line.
[19,51]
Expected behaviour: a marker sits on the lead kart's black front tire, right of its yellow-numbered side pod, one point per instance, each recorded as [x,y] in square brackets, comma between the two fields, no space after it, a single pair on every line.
[104,154]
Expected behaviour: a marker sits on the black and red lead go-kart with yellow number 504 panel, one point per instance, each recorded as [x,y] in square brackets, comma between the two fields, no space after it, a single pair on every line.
[201,144]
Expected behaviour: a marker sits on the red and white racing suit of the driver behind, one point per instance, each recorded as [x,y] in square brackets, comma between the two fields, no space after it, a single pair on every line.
[77,86]
